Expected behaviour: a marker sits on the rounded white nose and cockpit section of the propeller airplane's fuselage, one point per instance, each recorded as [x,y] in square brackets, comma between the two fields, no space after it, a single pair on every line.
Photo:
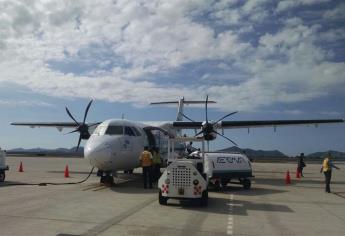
[116,145]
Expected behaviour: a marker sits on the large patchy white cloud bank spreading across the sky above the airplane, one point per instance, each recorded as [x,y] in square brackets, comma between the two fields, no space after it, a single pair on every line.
[127,45]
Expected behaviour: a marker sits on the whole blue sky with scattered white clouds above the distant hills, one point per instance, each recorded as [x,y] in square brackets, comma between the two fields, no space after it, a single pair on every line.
[265,59]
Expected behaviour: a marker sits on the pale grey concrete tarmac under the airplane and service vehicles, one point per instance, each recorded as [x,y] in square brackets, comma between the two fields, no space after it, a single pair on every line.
[270,207]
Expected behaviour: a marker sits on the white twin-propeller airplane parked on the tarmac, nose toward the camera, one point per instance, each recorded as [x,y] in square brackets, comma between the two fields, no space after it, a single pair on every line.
[115,144]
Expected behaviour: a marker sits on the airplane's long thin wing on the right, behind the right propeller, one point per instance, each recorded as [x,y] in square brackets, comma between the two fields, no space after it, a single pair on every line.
[255,123]
